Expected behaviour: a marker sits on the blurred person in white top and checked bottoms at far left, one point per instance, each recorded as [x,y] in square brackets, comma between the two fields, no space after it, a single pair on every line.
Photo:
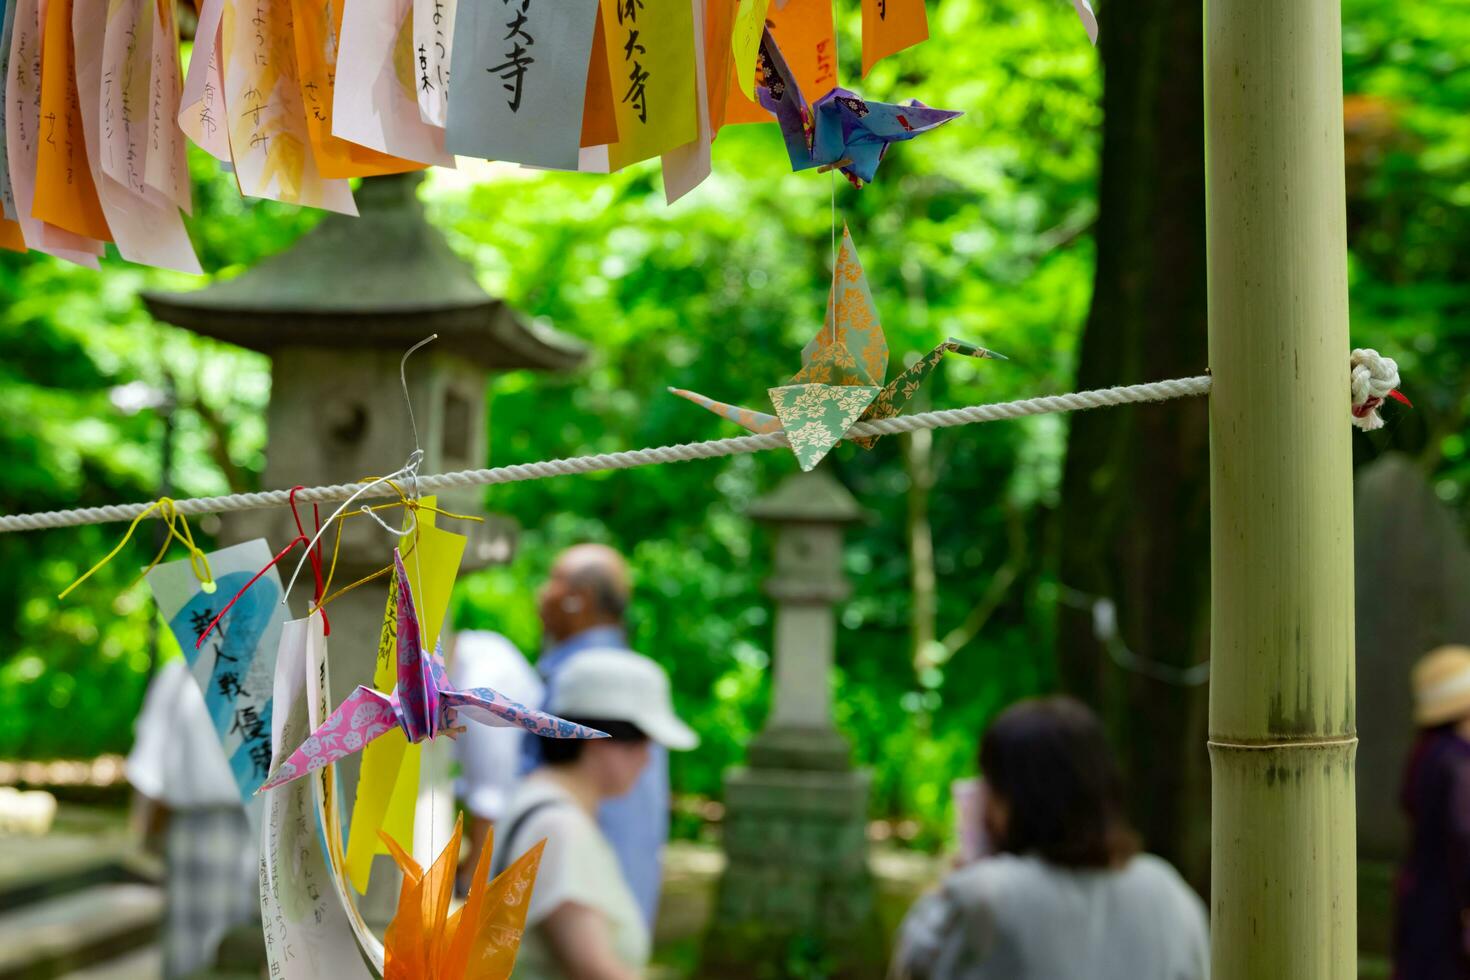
[186,791]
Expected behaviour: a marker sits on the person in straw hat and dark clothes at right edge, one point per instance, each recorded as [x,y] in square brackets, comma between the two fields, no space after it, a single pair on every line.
[1433,922]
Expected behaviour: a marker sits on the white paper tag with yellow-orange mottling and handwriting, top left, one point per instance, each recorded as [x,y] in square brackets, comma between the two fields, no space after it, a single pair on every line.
[267,117]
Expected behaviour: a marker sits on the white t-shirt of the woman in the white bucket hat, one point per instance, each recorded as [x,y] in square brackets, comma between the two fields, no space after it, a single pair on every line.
[577,866]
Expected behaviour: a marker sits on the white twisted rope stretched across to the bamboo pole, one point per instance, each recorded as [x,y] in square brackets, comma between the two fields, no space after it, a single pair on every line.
[997,412]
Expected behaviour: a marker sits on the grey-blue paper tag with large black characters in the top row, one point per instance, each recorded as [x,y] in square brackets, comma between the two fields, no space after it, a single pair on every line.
[521,84]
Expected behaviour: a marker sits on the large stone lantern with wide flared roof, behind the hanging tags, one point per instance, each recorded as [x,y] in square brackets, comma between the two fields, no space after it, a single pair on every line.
[336,314]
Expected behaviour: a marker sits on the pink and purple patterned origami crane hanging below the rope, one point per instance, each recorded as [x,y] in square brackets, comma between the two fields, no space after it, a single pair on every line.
[423,705]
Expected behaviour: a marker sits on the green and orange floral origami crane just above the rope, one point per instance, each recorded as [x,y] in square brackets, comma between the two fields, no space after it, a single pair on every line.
[842,378]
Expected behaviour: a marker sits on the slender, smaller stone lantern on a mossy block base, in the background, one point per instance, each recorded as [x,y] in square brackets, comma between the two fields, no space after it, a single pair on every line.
[796,818]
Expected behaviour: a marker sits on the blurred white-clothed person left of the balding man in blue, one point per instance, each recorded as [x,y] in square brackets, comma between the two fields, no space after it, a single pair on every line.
[489,756]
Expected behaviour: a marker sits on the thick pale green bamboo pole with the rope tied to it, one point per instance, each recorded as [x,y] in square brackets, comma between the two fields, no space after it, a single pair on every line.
[1283,732]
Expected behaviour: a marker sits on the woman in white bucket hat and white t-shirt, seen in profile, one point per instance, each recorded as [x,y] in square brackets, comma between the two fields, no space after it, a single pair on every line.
[584,920]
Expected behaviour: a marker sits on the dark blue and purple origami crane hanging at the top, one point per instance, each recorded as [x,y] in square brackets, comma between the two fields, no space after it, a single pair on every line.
[842,130]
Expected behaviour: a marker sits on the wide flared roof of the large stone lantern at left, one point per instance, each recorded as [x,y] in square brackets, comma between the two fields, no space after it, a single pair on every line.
[384,280]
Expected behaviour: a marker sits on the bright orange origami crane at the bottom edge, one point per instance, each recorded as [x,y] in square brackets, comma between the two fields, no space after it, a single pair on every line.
[481,940]
